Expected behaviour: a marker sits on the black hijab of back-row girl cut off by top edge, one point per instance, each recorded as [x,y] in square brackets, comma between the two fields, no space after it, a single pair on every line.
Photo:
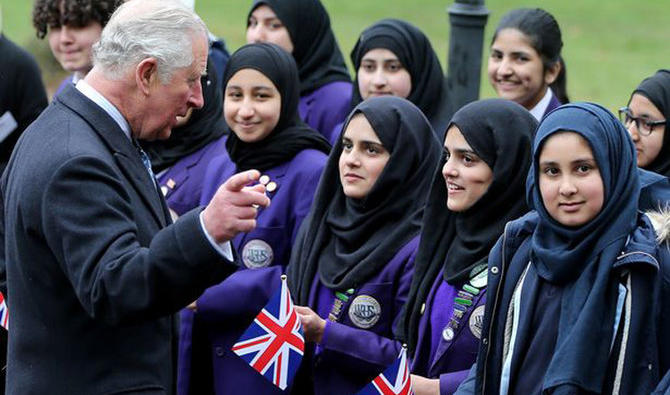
[315,49]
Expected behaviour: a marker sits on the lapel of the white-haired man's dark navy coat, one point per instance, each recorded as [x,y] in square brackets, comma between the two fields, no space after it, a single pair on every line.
[125,154]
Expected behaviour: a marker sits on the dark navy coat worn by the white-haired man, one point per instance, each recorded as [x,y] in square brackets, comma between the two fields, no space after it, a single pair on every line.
[93,268]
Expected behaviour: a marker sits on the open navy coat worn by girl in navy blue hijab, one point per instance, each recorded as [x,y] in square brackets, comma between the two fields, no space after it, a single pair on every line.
[645,362]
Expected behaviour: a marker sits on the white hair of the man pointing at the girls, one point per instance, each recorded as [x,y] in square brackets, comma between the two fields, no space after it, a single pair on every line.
[141,29]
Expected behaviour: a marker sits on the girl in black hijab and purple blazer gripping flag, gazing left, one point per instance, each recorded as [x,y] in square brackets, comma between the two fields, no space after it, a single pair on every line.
[353,259]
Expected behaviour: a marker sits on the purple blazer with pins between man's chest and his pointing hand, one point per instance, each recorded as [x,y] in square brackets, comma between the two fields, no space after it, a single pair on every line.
[182,183]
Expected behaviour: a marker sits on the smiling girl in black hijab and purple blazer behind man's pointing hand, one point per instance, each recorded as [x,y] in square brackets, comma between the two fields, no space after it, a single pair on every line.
[260,106]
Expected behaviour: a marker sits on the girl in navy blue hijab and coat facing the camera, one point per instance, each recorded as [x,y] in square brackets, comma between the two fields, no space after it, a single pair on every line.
[578,288]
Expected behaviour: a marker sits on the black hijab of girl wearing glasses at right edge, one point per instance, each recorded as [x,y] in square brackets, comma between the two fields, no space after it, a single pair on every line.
[657,89]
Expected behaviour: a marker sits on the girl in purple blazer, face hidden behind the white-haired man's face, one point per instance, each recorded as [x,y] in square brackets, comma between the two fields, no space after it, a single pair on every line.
[180,162]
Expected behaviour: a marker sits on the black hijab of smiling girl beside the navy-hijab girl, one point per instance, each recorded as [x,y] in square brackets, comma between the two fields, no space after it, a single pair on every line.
[453,244]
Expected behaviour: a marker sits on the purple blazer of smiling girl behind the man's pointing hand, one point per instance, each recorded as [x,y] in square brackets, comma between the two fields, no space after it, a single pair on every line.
[236,302]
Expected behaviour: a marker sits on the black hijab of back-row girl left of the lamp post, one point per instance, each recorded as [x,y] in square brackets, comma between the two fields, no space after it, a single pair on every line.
[413,49]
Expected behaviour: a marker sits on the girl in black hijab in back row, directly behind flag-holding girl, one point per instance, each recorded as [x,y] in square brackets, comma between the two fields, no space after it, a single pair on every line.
[393,57]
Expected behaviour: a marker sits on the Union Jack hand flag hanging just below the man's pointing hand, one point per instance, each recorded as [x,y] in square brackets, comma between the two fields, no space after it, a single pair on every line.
[274,344]
